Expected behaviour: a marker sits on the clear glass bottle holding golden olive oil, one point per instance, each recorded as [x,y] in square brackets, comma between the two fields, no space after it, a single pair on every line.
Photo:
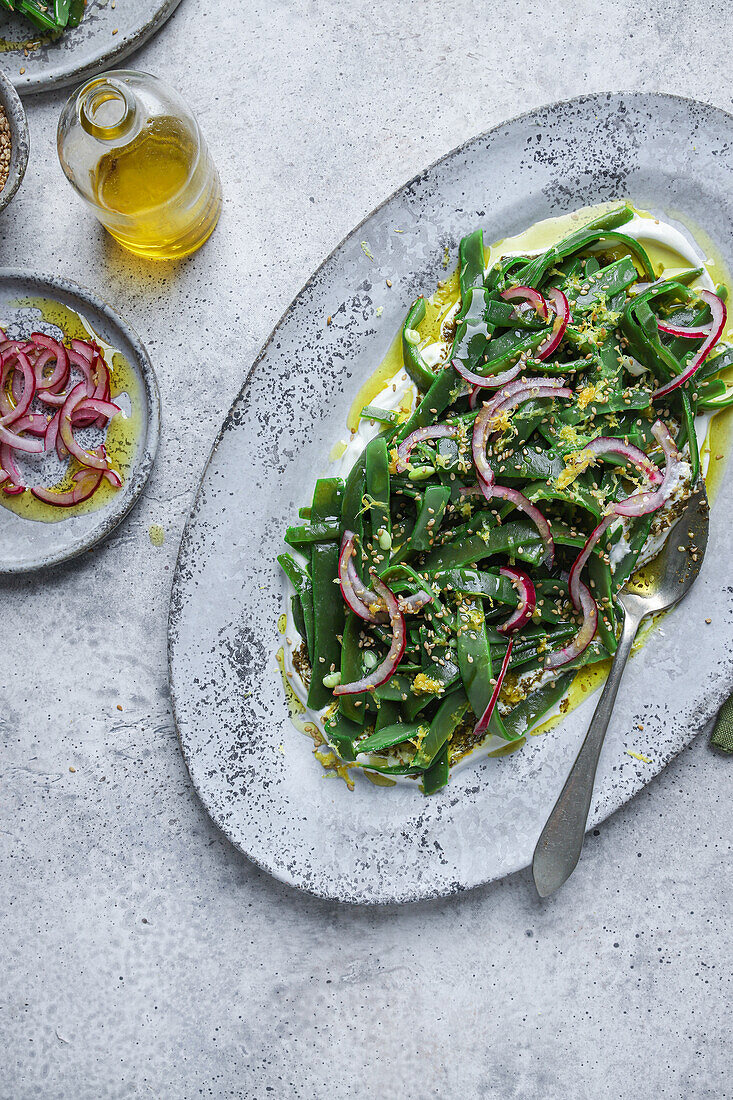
[136,155]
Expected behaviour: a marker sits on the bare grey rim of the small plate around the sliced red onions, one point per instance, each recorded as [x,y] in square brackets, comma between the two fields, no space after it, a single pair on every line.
[30,545]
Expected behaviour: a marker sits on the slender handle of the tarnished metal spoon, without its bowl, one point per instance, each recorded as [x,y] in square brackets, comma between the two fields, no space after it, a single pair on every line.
[562,841]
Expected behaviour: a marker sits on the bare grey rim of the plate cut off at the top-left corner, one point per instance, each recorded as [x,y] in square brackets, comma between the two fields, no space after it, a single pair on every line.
[82,51]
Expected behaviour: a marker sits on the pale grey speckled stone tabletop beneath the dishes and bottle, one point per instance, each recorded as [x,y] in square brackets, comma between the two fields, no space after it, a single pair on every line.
[140,954]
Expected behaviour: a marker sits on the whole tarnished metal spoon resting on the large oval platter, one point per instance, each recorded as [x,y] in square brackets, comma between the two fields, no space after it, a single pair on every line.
[665,581]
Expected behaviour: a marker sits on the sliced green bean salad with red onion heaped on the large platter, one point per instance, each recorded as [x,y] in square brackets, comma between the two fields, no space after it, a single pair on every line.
[450,588]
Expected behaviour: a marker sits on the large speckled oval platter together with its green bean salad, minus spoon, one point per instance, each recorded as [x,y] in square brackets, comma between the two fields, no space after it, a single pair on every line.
[407,551]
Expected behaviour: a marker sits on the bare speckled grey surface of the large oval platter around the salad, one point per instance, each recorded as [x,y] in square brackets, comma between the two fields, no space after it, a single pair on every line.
[253,769]
